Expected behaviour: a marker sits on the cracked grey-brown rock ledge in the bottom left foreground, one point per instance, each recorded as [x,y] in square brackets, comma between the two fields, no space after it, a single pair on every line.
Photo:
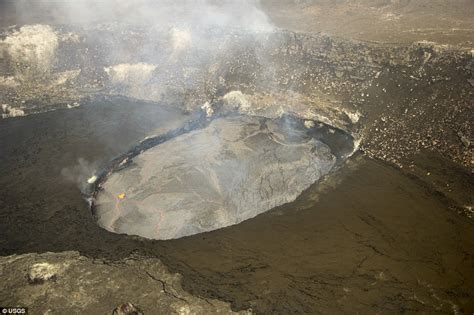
[83,285]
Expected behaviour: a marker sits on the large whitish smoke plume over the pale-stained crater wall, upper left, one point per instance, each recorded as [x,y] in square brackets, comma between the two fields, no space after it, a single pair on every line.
[157,50]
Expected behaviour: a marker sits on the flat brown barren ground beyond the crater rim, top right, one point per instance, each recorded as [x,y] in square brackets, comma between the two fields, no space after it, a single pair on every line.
[384,21]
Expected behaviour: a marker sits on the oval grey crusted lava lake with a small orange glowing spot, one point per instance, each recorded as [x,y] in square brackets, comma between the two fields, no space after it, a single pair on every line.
[228,171]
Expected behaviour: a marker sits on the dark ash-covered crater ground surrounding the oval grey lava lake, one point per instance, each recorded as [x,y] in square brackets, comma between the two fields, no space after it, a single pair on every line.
[391,231]
